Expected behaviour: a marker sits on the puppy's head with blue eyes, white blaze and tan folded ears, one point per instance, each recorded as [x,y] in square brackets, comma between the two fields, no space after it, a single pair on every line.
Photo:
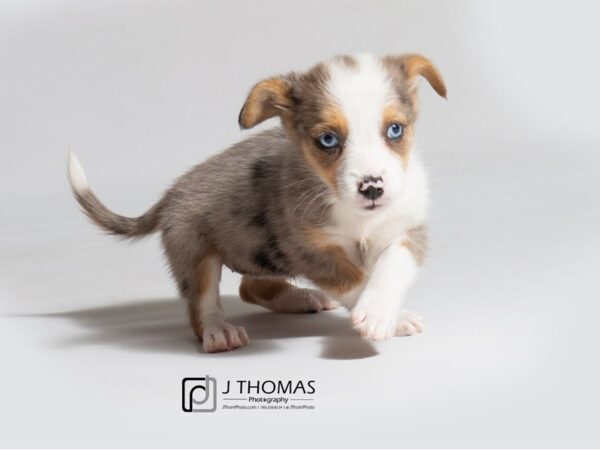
[353,119]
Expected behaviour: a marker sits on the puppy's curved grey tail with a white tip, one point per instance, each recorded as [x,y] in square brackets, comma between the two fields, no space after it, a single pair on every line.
[126,227]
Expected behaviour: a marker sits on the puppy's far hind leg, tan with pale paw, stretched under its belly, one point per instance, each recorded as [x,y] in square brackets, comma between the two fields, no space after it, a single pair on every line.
[278,295]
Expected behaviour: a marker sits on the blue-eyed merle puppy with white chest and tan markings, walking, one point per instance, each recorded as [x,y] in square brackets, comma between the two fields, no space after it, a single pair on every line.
[336,195]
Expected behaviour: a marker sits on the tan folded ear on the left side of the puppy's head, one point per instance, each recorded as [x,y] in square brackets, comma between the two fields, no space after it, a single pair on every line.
[268,98]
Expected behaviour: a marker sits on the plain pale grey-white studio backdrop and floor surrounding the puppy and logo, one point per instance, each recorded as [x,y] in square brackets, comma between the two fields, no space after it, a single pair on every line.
[93,342]
